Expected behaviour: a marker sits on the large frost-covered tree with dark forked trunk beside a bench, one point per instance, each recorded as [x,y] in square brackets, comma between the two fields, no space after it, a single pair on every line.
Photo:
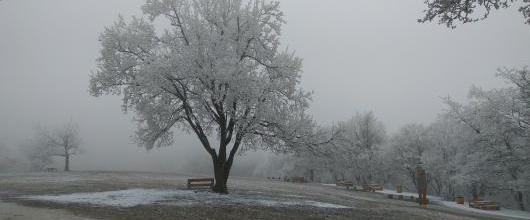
[215,69]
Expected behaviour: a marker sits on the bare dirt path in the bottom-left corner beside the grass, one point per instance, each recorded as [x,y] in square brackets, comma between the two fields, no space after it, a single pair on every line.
[12,211]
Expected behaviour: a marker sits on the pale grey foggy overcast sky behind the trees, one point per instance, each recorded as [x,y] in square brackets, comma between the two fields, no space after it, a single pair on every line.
[358,56]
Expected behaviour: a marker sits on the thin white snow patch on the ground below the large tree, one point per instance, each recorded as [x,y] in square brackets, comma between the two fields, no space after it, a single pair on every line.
[135,197]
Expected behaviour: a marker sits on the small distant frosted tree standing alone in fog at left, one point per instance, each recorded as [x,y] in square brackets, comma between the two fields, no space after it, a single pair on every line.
[62,142]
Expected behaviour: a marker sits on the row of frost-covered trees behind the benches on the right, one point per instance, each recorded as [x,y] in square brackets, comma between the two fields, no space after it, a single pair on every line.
[479,148]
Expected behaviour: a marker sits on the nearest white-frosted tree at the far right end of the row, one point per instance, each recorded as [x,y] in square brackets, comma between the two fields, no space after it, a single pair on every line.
[500,120]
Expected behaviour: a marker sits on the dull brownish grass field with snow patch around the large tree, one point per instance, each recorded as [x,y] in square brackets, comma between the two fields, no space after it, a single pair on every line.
[249,198]
